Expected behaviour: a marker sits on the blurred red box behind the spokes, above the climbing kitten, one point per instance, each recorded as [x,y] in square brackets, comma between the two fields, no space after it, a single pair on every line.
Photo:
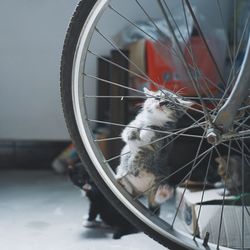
[163,69]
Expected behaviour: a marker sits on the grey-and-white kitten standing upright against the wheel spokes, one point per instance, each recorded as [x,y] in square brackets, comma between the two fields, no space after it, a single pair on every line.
[144,158]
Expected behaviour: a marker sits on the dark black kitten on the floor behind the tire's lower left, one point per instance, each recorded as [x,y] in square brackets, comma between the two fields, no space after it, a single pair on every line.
[99,205]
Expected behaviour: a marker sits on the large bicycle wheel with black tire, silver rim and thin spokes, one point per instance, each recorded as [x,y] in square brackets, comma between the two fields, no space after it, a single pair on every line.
[99,102]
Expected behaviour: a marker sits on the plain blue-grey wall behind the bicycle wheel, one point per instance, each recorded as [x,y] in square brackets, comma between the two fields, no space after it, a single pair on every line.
[32,34]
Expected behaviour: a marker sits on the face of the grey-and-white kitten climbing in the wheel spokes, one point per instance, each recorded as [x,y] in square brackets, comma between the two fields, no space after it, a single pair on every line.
[165,105]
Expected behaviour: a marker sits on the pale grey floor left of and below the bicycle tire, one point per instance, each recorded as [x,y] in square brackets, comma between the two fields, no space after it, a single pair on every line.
[41,210]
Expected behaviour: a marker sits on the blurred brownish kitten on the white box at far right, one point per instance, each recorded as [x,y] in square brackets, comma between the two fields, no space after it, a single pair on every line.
[231,175]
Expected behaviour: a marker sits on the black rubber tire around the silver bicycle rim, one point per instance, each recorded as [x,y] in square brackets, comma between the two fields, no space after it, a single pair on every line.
[83,9]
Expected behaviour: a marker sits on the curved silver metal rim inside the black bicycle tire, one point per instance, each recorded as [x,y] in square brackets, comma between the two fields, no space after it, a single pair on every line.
[85,132]
